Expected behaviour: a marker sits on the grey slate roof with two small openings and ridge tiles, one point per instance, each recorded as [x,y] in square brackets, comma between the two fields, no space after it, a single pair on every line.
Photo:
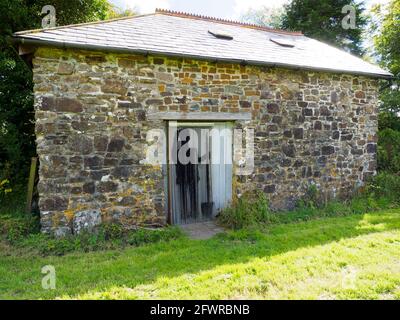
[180,34]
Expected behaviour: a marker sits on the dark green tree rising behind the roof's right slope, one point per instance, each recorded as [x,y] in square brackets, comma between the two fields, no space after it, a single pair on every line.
[322,20]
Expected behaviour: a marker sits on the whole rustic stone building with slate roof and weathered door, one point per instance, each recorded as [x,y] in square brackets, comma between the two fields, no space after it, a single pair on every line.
[100,88]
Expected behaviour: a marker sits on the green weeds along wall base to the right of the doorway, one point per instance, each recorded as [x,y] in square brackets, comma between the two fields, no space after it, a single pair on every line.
[381,192]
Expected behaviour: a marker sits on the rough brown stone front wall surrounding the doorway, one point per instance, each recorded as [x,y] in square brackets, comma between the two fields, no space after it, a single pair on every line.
[91,126]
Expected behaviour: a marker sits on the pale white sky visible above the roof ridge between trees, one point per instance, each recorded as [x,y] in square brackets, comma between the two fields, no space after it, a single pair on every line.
[228,9]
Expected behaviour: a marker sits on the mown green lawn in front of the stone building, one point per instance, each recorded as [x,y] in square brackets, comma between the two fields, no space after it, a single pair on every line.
[352,257]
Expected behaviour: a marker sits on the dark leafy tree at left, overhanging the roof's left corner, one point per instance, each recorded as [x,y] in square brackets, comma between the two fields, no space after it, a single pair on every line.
[17,139]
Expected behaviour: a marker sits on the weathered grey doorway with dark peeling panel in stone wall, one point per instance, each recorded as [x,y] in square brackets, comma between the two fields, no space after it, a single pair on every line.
[200,170]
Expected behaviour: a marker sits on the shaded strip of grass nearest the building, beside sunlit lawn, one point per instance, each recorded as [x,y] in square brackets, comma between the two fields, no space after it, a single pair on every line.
[100,271]
